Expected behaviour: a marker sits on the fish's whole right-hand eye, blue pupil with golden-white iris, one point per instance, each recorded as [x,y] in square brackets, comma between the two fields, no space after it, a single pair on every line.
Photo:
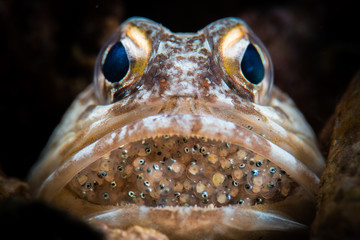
[245,61]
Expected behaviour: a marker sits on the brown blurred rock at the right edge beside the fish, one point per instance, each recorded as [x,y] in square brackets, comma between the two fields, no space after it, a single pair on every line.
[338,215]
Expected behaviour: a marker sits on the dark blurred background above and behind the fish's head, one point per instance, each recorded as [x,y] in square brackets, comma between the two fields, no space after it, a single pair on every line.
[48,49]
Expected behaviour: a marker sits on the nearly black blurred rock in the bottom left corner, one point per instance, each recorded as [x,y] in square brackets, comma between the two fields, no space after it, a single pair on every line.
[20,219]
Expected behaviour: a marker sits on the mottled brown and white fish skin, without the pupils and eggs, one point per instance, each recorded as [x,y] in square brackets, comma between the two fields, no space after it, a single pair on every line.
[189,85]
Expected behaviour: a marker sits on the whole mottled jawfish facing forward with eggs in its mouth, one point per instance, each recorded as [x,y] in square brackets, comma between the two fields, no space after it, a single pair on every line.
[184,133]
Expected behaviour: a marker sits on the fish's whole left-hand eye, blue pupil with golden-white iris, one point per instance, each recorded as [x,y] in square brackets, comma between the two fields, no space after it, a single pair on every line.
[121,62]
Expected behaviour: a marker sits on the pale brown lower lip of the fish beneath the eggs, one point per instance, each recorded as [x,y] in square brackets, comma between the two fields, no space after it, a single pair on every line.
[188,219]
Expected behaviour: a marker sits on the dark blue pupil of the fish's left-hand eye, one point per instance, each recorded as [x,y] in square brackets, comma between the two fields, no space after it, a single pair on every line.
[116,63]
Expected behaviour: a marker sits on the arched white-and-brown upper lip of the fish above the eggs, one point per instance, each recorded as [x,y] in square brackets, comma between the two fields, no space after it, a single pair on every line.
[187,125]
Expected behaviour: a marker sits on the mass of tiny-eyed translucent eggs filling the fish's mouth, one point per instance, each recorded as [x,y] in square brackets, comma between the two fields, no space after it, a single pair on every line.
[178,171]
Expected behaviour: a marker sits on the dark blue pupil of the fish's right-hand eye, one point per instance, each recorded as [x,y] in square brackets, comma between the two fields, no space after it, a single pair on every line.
[251,65]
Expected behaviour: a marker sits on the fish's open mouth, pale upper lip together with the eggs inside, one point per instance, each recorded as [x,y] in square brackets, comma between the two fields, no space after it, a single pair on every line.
[181,160]
